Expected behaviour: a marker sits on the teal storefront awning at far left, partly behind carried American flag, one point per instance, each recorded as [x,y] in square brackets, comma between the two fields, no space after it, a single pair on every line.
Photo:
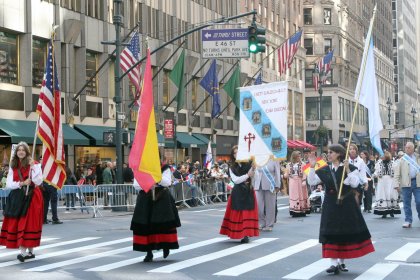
[17,130]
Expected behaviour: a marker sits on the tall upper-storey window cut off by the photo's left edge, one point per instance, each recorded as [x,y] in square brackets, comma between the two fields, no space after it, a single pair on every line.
[8,58]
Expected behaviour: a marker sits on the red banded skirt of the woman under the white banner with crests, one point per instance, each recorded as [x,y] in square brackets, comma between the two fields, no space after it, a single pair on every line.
[240,223]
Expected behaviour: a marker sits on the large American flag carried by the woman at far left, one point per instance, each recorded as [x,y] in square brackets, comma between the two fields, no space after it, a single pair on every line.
[50,129]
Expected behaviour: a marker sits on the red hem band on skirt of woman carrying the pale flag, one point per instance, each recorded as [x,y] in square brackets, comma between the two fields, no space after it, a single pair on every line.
[347,250]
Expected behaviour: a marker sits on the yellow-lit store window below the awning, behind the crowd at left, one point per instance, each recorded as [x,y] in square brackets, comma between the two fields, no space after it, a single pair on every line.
[90,156]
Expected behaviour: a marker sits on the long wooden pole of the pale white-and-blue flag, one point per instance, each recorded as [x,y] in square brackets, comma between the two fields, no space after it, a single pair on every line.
[358,90]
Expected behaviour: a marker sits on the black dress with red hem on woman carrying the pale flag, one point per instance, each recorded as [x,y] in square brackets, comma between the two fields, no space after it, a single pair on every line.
[343,231]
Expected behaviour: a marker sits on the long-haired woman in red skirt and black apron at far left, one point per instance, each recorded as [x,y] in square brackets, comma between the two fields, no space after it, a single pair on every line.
[23,216]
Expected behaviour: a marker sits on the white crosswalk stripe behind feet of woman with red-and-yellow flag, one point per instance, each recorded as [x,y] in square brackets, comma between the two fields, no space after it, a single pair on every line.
[111,266]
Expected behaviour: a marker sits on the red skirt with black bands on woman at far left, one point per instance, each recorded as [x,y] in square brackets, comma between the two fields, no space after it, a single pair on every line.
[25,231]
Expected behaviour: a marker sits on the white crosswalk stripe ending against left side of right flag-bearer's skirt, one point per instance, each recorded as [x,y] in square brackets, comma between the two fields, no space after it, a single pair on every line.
[257,263]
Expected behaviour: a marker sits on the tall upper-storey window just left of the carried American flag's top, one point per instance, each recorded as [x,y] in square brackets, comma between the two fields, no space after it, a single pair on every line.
[39,56]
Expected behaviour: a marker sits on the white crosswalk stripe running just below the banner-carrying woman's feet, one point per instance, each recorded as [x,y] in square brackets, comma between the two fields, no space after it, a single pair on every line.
[212,256]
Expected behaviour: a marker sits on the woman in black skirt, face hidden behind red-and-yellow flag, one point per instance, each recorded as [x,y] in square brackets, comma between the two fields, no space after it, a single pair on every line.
[155,219]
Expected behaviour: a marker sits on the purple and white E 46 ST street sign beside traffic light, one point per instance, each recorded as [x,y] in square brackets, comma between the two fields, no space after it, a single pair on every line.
[224,43]
